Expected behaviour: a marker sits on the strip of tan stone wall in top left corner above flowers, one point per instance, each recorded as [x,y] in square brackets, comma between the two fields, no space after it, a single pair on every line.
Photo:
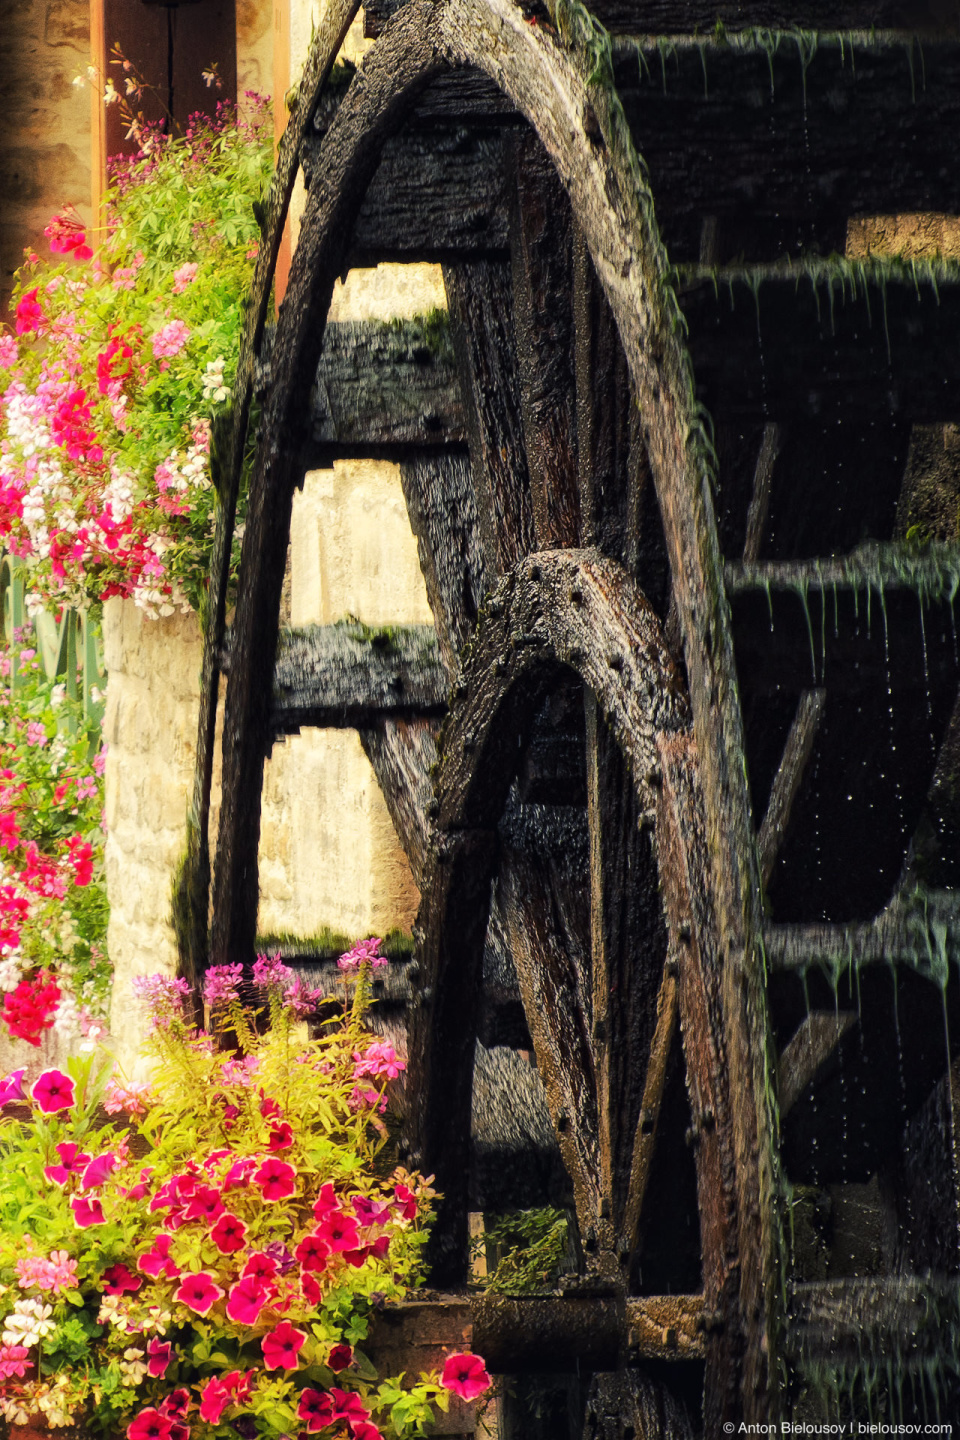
[45,125]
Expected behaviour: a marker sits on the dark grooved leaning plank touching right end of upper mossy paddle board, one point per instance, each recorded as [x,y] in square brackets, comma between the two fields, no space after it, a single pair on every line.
[480,296]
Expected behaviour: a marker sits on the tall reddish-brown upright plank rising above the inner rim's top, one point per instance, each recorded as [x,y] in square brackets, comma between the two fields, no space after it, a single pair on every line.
[542,247]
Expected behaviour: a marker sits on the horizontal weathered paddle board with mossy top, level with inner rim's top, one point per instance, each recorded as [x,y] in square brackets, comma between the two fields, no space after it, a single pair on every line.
[345,676]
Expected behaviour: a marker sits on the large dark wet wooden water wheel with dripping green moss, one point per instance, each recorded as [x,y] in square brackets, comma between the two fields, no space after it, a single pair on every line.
[697,775]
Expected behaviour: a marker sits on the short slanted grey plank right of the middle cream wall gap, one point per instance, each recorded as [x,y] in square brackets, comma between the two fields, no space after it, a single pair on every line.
[443,510]
